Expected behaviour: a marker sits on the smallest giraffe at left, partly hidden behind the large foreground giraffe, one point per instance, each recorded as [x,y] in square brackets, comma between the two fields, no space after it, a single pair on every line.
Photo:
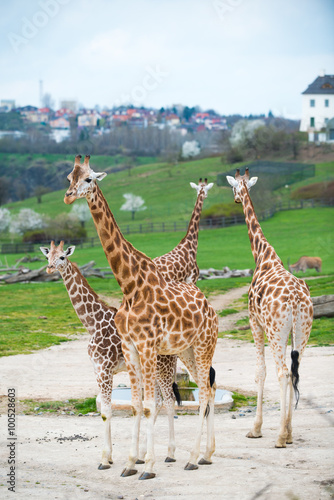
[105,348]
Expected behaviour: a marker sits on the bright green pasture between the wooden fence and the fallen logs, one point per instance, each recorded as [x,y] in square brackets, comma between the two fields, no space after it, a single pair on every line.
[293,234]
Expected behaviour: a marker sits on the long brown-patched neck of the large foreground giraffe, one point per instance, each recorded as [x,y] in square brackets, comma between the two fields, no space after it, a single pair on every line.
[129,266]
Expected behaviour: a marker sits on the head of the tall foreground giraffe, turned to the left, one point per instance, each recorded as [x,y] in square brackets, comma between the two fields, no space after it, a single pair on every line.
[82,180]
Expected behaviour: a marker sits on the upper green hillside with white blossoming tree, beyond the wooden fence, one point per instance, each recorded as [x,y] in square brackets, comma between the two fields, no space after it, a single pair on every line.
[164,188]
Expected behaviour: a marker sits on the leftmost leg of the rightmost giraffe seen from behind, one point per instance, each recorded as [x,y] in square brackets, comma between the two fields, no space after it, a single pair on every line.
[260,376]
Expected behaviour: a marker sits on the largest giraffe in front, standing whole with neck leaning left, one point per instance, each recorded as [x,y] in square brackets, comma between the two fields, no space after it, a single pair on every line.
[156,317]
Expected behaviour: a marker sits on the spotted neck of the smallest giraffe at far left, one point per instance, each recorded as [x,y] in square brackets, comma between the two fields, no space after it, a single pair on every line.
[80,293]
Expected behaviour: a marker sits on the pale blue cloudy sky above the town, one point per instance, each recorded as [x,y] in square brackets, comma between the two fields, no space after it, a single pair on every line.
[234,56]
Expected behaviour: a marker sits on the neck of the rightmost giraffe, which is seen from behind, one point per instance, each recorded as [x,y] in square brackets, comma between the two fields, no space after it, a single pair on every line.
[256,236]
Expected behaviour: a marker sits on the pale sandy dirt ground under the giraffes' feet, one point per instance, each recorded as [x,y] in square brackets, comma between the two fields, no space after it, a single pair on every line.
[57,456]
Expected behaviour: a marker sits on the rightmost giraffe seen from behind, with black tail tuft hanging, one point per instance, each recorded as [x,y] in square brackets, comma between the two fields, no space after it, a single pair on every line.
[278,303]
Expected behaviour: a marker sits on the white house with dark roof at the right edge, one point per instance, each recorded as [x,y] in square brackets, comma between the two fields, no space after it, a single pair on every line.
[318,109]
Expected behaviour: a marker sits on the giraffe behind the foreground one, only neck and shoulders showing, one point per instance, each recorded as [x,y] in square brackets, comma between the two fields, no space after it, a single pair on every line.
[180,263]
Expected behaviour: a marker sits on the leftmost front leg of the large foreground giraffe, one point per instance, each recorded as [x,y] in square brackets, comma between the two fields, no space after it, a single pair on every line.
[134,369]
